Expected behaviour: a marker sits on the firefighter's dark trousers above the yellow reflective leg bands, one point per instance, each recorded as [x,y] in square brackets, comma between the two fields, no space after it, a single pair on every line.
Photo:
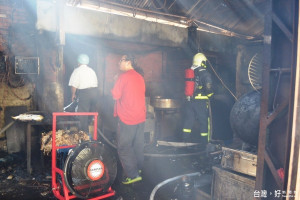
[196,110]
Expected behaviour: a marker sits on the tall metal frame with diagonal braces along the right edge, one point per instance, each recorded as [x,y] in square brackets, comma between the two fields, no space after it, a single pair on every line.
[267,171]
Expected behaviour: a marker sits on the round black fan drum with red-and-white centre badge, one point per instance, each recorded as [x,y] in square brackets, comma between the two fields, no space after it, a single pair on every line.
[90,169]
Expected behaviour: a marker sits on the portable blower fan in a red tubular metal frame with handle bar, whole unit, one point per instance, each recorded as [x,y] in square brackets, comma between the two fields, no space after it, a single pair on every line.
[89,169]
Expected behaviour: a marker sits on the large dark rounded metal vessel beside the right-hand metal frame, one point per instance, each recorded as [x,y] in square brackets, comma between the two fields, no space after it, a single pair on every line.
[244,117]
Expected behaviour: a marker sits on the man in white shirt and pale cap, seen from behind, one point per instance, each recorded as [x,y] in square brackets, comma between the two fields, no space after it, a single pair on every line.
[84,83]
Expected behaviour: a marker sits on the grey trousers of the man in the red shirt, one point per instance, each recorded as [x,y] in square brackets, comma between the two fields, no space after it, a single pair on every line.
[130,145]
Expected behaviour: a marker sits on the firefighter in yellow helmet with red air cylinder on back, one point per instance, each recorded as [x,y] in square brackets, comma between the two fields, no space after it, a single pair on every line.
[198,90]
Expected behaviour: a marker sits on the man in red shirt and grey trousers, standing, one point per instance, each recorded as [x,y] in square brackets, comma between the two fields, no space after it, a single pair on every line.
[129,93]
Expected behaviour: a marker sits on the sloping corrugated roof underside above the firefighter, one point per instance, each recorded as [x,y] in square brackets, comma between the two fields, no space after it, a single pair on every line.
[237,18]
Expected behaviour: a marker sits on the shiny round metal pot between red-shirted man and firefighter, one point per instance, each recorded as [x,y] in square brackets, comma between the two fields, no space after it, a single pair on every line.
[159,102]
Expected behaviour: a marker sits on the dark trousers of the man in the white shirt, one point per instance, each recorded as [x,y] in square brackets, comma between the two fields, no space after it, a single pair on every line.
[87,102]
